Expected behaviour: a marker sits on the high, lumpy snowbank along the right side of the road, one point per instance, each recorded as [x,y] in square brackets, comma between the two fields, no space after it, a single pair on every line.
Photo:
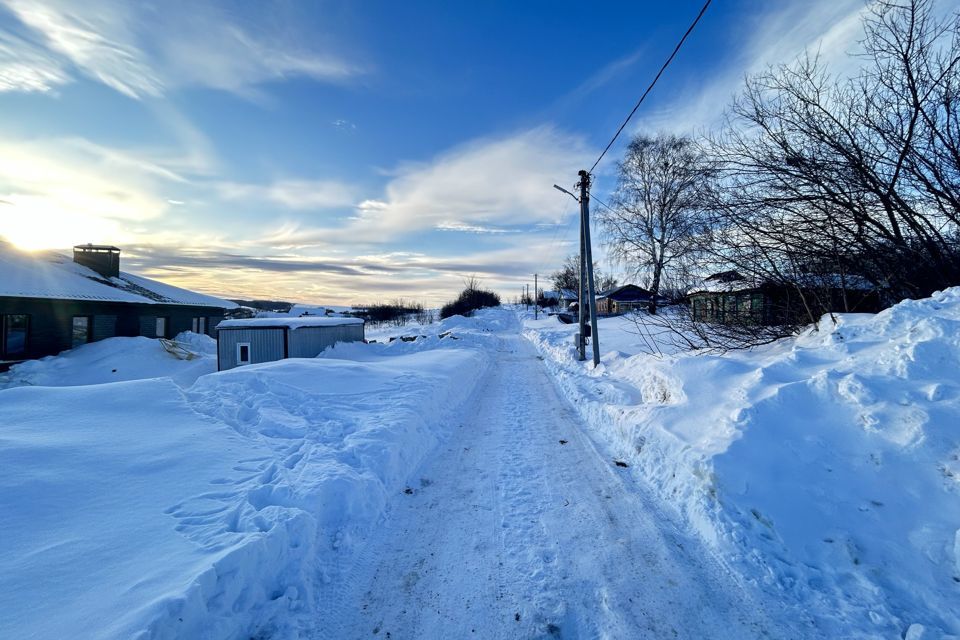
[824,466]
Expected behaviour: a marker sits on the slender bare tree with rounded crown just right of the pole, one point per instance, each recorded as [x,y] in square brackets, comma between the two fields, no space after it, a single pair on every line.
[656,223]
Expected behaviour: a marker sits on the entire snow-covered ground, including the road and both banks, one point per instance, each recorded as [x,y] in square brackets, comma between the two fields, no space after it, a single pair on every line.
[487,484]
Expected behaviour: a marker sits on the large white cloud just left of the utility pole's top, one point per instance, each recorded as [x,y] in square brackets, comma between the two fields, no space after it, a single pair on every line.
[502,181]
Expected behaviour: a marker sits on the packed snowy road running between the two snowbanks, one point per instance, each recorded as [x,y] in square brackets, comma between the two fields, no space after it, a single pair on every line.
[522,527]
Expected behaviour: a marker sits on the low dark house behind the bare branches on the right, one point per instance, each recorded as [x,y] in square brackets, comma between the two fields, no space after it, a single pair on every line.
[730,298]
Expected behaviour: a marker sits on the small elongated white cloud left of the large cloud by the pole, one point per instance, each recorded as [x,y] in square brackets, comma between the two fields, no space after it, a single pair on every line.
[293,194]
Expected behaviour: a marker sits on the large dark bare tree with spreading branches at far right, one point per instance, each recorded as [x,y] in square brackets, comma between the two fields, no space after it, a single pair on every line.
[840,182]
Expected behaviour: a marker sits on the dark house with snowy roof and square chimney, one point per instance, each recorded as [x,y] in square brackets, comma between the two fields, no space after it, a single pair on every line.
[50,303]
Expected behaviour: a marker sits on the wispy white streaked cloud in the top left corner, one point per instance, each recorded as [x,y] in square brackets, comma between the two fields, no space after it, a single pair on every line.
[143,50]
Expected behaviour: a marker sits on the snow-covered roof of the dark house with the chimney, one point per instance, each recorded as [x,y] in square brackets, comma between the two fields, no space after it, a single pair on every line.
[49,274]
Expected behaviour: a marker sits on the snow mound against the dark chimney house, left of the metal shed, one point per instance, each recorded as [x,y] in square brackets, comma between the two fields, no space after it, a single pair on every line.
[116,360]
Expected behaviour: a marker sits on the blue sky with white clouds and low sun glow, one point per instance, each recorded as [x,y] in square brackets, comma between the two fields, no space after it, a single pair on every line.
[354,151]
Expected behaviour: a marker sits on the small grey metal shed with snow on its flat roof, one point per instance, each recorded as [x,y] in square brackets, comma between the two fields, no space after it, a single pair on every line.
[256,340]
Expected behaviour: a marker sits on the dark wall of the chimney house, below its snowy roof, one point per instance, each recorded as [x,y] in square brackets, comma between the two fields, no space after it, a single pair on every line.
[51,321]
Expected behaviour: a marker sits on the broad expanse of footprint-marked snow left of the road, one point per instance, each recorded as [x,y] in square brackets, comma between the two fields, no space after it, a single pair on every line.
[143,510]
